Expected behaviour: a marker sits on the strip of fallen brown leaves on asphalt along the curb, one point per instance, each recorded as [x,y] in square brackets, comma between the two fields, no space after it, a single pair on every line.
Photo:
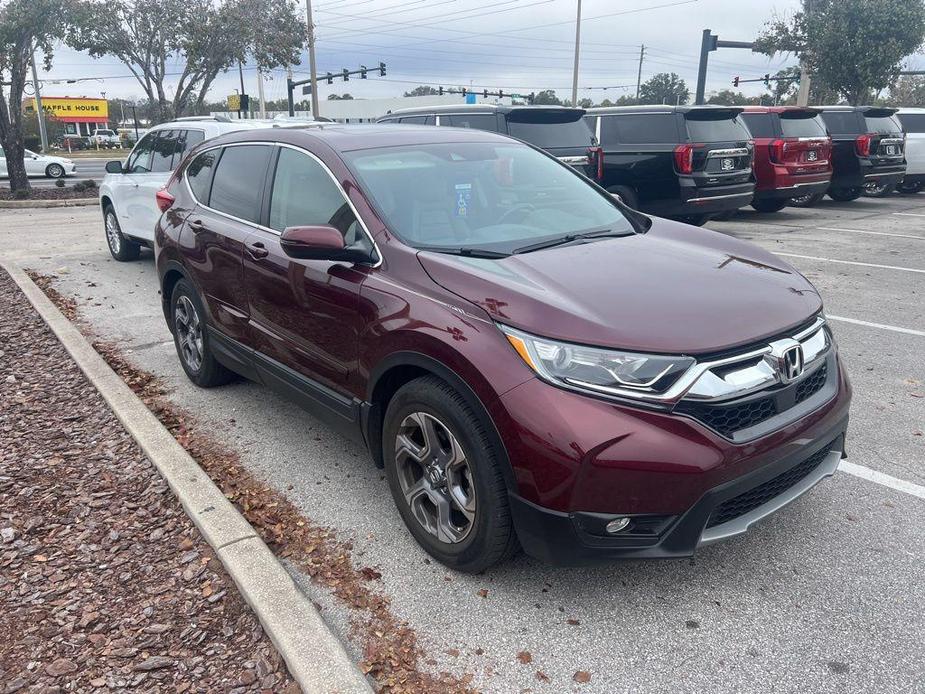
[392,655]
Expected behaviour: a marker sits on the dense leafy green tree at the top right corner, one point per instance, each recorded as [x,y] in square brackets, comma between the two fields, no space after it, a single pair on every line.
[855,47]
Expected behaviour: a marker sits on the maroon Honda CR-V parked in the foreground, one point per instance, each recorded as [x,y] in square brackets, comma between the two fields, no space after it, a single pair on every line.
[532,363]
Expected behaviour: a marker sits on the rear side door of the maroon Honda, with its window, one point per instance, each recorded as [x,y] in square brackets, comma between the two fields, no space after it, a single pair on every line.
[227,184]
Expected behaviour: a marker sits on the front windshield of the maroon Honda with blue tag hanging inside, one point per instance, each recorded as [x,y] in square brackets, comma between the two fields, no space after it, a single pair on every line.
[487,196]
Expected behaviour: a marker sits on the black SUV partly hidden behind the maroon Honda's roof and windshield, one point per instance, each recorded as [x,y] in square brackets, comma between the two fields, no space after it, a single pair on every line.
[558,130]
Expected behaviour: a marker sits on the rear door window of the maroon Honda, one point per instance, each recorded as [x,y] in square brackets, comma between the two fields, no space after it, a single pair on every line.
[239,179]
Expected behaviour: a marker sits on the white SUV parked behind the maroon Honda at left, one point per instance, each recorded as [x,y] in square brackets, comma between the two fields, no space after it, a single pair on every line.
[127,193]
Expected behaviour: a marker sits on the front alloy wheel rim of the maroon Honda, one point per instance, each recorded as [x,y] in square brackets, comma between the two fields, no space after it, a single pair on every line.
[436,478]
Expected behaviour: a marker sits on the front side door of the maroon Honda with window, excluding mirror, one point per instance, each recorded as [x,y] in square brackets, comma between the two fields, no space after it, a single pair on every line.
[305,313]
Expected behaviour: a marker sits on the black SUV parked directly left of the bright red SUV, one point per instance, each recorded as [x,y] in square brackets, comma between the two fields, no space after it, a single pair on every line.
[686,162]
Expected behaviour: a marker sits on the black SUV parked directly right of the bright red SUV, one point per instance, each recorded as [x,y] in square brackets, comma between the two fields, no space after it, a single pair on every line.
[868,150]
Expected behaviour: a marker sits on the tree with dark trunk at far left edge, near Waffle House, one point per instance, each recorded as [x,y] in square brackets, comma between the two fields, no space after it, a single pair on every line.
[25,26]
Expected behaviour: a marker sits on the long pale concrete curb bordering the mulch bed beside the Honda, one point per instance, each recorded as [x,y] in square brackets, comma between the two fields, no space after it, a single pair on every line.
[313,654]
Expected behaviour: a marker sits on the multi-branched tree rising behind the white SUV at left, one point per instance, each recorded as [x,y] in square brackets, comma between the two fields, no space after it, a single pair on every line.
[207,38]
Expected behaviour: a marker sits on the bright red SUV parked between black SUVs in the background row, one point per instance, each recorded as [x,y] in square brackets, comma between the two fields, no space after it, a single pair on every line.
[793,154]
